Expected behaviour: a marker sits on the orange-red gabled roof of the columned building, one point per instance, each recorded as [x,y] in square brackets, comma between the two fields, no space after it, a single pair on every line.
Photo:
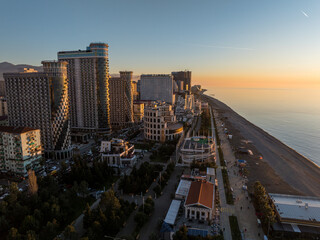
[201,193]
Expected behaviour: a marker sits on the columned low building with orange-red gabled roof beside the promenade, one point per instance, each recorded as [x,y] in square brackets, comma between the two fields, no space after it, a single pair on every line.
[200,201]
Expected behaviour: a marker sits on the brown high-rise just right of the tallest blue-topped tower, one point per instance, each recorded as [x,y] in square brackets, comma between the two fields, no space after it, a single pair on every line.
[121,100]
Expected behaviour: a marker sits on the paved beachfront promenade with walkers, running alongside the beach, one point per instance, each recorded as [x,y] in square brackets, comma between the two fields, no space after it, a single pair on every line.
[242,207]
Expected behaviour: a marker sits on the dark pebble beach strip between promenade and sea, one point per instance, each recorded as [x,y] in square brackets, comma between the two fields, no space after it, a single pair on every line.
[280,161]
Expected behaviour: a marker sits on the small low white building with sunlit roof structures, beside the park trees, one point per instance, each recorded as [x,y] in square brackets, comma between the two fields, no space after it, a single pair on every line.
[118,153]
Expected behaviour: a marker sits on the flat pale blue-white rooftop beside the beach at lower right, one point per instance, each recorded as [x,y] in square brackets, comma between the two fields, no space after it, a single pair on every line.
[297,207]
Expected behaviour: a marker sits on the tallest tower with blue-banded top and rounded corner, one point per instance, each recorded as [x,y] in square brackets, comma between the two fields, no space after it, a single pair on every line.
[88,74]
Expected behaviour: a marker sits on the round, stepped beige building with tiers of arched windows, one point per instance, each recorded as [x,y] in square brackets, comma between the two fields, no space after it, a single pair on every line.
[160,123]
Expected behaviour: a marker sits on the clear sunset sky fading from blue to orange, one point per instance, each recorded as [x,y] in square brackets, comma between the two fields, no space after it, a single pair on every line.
[230,43]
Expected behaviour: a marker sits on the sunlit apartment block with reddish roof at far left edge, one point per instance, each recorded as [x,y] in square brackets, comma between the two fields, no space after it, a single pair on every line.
[20,149]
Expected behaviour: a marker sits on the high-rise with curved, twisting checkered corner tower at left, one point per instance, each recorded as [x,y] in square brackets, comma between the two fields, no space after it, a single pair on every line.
[40,100]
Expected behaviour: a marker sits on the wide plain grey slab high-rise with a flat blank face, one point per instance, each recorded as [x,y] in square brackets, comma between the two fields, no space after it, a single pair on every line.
[157,87]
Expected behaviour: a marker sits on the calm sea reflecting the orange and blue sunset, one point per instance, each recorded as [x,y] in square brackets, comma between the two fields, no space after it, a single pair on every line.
[291,115]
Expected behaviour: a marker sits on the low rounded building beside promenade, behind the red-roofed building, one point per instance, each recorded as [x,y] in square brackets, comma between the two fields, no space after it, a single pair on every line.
[198,148]
